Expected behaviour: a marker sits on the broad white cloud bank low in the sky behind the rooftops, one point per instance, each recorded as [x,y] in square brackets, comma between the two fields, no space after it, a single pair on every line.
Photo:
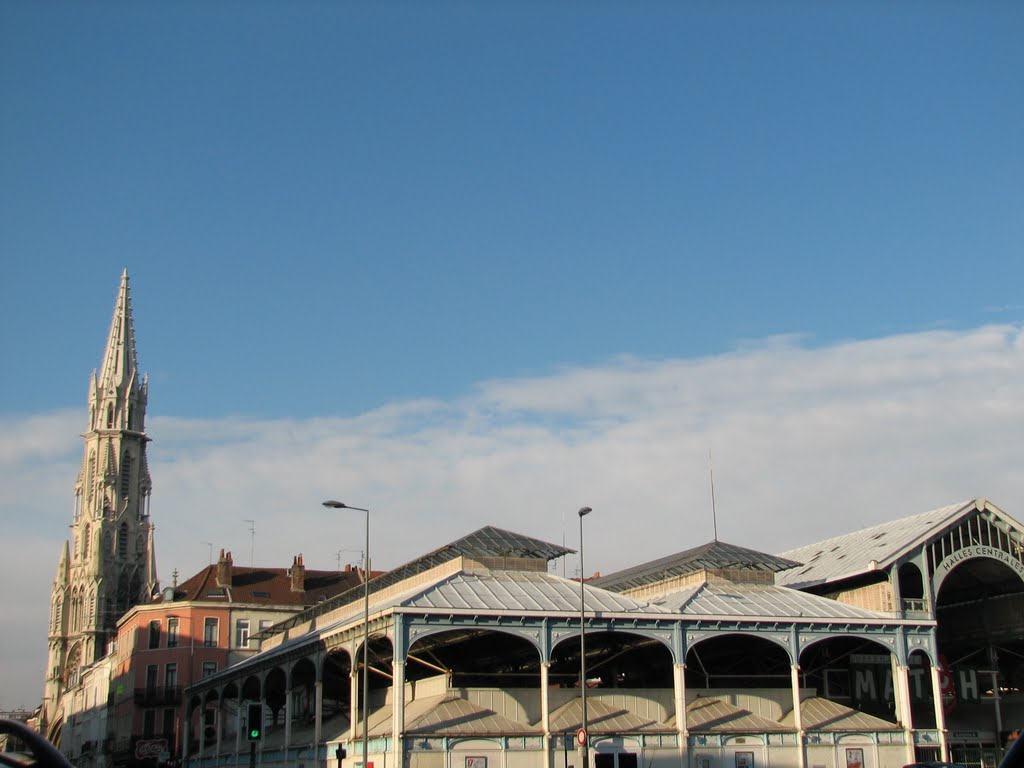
[808,443]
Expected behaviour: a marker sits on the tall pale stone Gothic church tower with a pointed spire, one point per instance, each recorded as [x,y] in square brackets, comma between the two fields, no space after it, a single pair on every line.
[110,564]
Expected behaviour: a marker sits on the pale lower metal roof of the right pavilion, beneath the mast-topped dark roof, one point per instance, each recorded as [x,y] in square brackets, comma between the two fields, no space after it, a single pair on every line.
[760,601]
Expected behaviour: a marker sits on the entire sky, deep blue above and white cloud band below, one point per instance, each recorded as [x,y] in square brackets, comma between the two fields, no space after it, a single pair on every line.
[460,261]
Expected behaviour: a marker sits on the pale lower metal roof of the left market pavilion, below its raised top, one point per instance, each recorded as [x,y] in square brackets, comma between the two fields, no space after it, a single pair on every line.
[519,592]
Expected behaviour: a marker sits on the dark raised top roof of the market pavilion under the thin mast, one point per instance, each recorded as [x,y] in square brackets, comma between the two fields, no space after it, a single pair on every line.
[711,557]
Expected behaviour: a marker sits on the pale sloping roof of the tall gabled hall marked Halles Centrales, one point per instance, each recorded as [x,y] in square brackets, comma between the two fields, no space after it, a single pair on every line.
[854,554]
